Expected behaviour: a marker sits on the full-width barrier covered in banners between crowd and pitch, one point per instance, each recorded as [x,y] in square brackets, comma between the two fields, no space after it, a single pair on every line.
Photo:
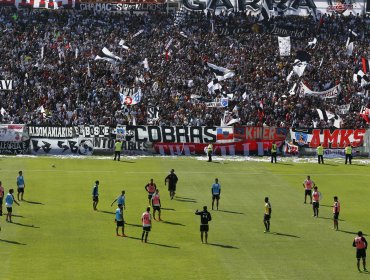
[181,140]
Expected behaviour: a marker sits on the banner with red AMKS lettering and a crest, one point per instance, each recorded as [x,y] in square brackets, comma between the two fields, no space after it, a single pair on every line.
[329,138]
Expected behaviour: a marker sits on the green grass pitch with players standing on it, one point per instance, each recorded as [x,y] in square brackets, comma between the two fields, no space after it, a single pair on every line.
[59,236]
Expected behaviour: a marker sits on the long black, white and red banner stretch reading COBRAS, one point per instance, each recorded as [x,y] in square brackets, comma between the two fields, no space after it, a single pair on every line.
[168,140]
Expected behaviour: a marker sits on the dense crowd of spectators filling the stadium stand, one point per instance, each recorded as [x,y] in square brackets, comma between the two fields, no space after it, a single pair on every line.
[74,88]
